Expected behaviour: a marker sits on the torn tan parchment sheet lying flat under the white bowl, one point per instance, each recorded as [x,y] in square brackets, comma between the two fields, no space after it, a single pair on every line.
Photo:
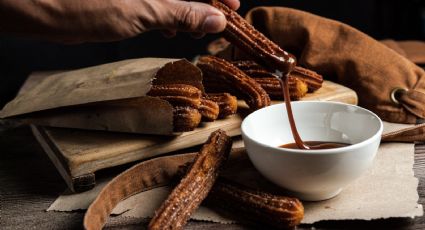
[388,189]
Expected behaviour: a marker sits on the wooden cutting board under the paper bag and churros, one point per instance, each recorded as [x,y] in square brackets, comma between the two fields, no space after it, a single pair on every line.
[78,154]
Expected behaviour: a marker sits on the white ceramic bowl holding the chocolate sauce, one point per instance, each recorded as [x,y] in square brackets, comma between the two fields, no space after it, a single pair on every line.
[312,174]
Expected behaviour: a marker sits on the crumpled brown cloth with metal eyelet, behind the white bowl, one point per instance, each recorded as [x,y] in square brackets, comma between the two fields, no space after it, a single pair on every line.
[342,53]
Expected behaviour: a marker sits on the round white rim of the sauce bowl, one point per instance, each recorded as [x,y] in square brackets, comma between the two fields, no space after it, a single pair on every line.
[317,151]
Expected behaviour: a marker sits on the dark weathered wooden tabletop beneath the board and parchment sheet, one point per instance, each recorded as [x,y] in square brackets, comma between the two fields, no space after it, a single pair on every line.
[29,183]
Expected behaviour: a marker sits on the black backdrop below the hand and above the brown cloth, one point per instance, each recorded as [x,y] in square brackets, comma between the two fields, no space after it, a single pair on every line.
[399,20]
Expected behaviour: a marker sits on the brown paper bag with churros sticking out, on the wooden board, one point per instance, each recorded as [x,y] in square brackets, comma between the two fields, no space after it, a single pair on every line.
[106,97]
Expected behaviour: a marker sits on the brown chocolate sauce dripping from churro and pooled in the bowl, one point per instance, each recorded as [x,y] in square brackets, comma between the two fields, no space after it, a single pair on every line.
[299,143]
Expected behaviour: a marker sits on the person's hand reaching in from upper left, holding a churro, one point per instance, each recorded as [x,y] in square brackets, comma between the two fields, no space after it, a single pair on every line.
[76,21]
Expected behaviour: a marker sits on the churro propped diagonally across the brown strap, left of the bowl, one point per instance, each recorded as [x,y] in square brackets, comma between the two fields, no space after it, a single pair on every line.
[195,185]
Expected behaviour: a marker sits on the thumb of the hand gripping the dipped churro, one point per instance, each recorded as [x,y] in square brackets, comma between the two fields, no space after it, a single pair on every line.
[194,17]
